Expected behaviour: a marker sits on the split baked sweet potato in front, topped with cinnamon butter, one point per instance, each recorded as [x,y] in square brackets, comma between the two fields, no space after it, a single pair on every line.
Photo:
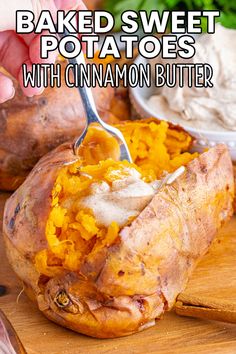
[113,278]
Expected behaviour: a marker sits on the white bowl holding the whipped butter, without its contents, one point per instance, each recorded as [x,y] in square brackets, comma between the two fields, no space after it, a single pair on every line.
[204,138]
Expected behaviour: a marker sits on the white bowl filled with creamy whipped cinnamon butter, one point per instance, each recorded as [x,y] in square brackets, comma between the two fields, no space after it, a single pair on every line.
[209,114]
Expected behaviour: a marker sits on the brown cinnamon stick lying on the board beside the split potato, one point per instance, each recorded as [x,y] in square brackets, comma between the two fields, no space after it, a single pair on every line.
[206,308]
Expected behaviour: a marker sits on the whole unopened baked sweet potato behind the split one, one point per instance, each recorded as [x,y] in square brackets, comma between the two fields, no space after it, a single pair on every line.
[31,127]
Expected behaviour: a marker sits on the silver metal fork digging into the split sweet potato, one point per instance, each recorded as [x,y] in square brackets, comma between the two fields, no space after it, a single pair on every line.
[92,115]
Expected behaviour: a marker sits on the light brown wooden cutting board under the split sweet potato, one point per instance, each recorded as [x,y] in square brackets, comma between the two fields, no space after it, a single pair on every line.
[215,276]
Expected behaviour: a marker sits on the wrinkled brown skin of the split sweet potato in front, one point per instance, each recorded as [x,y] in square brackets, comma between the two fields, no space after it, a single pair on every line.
[130,284]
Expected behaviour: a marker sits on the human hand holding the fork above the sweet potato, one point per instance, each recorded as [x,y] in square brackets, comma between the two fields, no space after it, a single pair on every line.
[16,50]
